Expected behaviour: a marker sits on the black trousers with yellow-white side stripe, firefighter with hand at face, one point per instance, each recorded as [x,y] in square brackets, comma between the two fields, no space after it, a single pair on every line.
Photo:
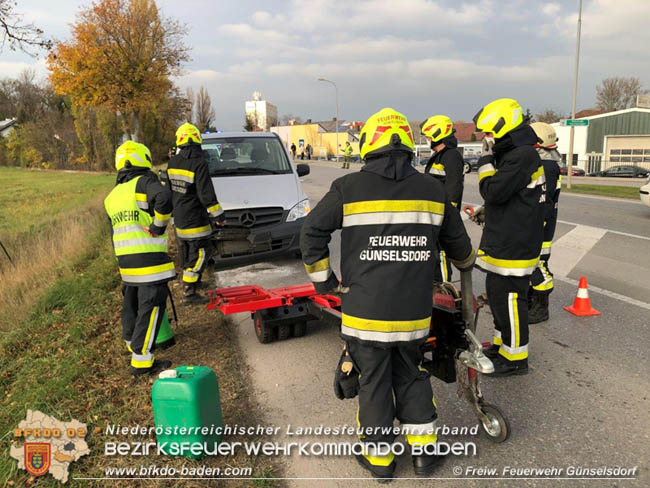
[508,298]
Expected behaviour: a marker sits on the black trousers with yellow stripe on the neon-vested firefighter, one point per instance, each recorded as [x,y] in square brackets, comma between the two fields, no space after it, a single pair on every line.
[143,309]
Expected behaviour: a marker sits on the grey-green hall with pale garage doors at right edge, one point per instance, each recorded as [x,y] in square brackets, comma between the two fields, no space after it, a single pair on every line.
[610,139]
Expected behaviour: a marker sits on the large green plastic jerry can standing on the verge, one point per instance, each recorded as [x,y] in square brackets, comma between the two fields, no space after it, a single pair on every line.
[187,411]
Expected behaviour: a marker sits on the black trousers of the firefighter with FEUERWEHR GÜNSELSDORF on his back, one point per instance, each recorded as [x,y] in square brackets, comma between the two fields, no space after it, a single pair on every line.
[393,385]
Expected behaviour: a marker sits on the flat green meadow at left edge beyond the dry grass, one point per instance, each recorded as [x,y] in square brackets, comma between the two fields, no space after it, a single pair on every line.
[31,199]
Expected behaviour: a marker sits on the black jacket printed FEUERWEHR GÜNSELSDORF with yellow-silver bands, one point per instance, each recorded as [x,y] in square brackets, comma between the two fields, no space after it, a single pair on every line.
[391,217]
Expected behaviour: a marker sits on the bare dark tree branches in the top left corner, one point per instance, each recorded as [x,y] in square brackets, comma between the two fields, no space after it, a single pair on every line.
[16,33]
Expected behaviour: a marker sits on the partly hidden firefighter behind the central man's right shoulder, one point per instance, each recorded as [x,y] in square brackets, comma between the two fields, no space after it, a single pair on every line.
[445,164]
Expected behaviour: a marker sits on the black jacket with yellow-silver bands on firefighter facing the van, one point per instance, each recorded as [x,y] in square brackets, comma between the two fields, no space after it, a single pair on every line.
[195,202]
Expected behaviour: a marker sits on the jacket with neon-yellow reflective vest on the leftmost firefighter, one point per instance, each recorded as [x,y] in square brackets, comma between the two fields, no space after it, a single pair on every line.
[139,208]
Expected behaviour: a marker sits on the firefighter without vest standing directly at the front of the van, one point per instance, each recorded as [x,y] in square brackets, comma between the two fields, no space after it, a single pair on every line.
[196,208]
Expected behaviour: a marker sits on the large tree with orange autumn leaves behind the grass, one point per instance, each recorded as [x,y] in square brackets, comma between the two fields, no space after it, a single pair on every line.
[121,57]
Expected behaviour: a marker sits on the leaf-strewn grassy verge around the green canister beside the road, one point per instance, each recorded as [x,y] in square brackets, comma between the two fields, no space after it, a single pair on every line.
[63,355]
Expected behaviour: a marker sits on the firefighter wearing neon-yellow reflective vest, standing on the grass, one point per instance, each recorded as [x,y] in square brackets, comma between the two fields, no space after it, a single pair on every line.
[139,208]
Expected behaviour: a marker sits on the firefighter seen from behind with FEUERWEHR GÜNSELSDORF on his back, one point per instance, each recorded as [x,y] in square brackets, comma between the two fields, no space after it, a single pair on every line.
[391,217]
